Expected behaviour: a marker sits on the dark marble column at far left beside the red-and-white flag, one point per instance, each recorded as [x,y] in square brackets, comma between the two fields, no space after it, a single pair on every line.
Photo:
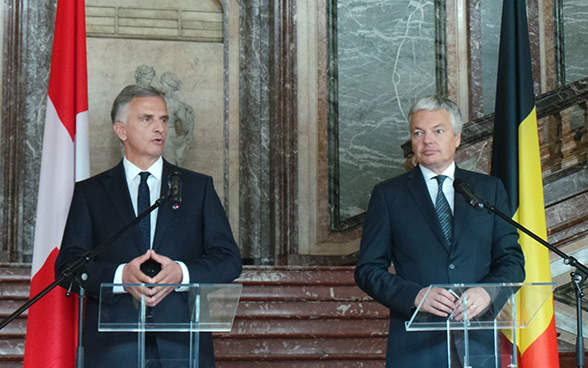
[28,39]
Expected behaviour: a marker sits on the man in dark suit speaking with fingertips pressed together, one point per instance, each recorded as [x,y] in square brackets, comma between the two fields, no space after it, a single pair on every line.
[192,244]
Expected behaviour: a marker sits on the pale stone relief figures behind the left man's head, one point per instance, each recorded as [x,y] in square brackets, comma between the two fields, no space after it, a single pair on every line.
[181,115]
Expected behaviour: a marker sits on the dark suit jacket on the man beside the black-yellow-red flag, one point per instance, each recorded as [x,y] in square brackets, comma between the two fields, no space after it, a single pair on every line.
[401,227]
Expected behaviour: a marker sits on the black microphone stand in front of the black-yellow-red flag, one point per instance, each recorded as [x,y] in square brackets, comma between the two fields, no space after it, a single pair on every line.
[578,276]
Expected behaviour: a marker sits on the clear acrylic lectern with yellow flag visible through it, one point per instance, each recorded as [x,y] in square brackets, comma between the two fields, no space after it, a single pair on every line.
[507,312]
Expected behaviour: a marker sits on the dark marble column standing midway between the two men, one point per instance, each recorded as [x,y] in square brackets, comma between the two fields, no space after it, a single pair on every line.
[268,132]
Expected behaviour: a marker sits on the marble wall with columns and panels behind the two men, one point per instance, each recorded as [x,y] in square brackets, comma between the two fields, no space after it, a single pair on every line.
[268,99]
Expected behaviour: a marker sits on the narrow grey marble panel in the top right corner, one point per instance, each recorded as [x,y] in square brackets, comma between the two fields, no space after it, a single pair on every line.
[575,23]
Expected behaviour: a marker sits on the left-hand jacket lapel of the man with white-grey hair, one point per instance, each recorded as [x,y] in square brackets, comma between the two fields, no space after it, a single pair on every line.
[420,193]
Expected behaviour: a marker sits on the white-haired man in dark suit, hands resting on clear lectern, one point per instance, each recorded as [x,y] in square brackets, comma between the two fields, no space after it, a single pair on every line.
[458,245]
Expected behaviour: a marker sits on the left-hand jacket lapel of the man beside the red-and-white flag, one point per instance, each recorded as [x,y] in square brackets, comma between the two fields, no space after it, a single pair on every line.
[117,189]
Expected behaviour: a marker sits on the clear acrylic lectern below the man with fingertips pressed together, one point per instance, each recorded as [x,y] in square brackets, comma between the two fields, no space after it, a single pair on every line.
[191,308]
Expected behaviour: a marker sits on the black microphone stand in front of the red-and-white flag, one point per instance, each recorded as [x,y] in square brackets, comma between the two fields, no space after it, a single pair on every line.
[77,270]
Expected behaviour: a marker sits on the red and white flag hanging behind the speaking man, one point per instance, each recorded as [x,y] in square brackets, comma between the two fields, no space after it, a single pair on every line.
[52,322]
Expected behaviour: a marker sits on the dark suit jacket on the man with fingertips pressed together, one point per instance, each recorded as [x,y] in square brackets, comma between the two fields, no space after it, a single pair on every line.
[198,234]
